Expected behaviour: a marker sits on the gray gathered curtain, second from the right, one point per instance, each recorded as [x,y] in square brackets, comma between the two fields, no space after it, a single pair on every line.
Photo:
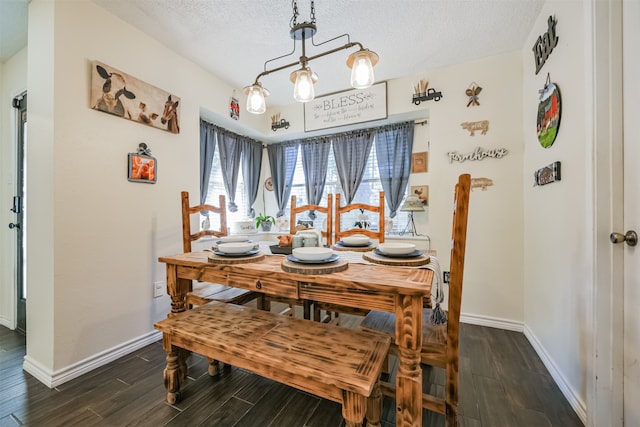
[351,151]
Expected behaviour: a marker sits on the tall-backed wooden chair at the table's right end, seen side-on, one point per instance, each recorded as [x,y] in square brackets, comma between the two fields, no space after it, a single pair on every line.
[440,338]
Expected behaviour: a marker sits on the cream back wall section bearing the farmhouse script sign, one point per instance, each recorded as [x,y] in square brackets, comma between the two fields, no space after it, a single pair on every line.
[493,267]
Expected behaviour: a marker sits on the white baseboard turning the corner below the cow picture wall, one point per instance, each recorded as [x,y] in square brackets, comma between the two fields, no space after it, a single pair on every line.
[54,379]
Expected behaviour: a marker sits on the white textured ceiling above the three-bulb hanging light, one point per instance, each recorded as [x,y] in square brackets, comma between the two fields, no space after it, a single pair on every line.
[233,38]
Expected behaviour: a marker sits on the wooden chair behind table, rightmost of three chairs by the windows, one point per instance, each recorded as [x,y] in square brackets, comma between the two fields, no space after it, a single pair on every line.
[332,311]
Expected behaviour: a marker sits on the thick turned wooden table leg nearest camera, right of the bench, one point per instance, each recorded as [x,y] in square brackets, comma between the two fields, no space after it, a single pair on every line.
[409,375]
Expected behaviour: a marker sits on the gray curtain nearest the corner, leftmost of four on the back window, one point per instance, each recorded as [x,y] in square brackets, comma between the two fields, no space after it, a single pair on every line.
[282,160]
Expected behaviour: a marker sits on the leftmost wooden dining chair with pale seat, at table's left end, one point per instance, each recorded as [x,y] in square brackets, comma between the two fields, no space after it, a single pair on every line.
[205,292]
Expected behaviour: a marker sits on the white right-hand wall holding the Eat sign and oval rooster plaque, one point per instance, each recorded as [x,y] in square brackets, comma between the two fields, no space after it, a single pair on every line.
[558,223]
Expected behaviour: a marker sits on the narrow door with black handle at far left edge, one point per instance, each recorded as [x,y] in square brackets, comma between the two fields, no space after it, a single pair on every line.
[19,224]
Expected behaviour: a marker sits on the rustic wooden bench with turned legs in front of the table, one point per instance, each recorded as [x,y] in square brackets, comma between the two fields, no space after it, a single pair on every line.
[334,363]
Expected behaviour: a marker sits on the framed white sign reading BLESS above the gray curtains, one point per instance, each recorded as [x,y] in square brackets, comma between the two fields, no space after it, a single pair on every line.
[346,108]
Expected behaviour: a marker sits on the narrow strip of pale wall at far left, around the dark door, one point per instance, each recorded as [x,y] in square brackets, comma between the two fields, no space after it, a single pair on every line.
[13,82]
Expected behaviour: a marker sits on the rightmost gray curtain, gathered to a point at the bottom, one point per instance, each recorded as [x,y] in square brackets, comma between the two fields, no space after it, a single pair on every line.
[393,148]
